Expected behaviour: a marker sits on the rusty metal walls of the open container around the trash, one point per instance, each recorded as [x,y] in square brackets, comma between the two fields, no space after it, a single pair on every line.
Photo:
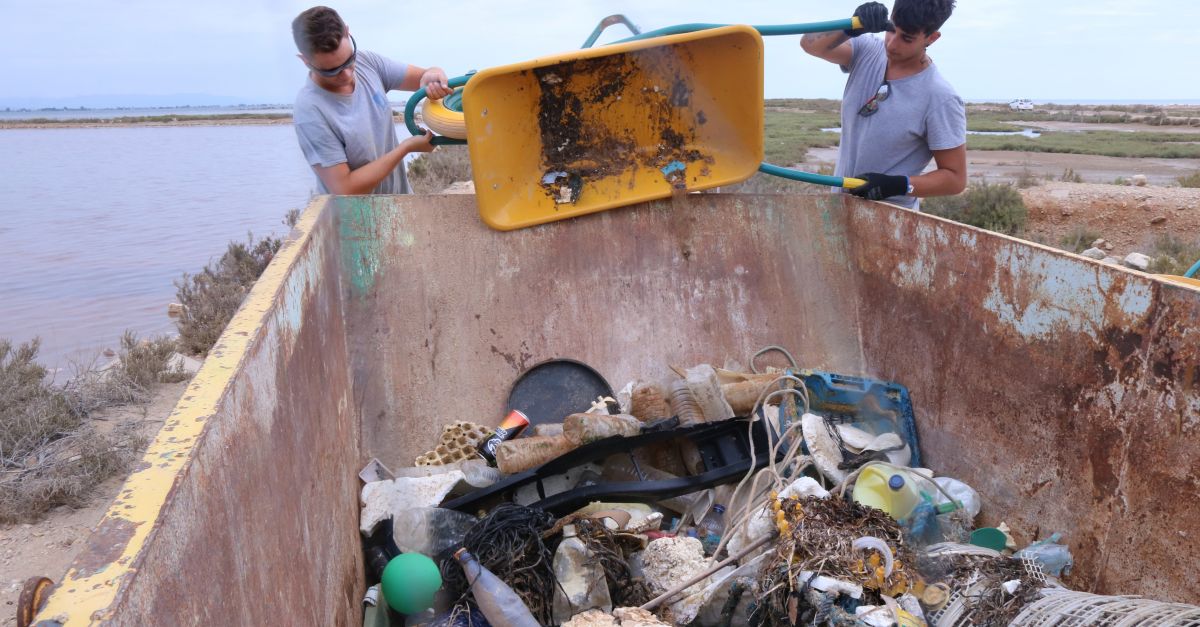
[1065,391]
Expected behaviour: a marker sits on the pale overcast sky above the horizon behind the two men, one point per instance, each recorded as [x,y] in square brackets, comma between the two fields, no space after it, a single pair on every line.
[994,50]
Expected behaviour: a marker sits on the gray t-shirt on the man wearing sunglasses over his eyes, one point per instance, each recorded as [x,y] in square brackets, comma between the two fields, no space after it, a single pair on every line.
[353,129]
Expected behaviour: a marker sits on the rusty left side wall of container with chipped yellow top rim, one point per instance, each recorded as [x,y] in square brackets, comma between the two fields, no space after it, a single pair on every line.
[243,511]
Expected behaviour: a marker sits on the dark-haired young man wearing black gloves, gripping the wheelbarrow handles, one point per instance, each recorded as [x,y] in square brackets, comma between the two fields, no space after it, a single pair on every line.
[898,112]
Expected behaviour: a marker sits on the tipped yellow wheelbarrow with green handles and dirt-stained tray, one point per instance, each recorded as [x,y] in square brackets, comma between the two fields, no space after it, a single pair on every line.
[667,112]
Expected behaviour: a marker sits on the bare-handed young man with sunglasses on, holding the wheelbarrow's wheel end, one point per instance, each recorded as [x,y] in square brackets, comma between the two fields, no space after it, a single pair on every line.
[343,116]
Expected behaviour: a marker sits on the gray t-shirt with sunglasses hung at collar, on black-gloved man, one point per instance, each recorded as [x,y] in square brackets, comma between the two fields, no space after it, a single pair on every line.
[922,114]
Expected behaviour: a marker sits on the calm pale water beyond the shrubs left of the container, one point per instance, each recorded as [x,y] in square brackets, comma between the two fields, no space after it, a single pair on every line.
[97,224]
